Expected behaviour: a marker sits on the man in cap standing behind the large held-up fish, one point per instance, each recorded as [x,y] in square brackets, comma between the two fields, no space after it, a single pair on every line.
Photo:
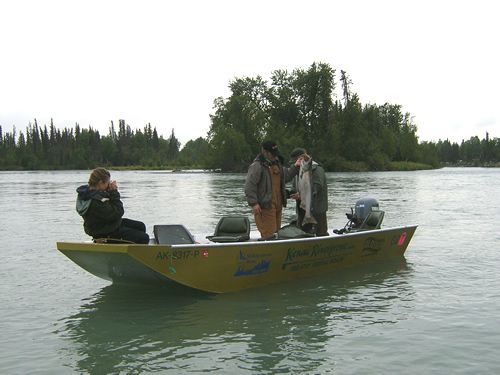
[319,199]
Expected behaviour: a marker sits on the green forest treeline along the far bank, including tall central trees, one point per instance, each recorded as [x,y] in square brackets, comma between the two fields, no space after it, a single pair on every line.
[298,108]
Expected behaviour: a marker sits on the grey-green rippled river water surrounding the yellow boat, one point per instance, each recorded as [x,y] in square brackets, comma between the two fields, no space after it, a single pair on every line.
[435,312]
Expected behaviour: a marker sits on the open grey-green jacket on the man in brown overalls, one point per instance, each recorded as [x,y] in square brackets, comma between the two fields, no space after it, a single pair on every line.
[258,186]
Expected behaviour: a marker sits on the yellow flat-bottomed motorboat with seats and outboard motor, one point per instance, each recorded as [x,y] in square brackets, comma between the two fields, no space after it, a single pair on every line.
[230,263]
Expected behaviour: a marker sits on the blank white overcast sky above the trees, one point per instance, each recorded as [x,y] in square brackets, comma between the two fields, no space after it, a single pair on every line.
[164,62]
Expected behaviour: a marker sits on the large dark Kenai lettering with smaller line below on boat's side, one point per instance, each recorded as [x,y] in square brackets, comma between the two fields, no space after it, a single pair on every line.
[317,256]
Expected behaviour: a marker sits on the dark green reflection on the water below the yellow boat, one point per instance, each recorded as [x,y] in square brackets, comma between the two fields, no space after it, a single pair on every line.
[297,326]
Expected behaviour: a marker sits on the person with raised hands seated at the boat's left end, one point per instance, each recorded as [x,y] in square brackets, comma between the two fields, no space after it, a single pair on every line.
[101,208]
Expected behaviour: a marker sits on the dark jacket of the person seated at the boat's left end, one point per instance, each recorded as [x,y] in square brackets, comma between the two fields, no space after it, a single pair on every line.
[101,210]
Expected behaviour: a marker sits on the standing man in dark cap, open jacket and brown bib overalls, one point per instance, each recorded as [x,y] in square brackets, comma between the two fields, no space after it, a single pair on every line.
[265,188]
